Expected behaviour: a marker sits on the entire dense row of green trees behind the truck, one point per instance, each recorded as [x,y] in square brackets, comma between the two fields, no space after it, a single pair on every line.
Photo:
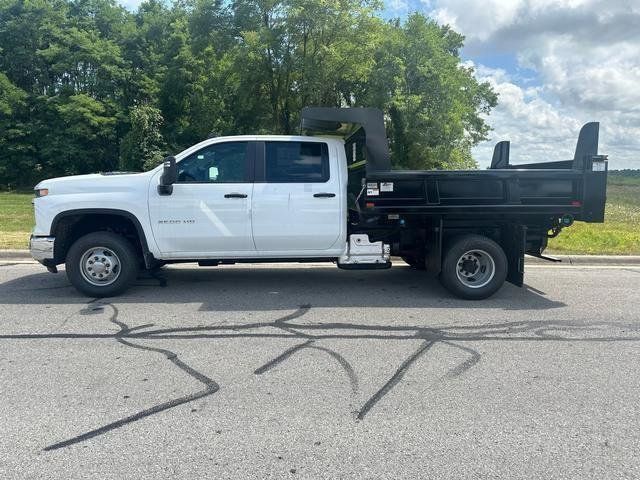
[86,85]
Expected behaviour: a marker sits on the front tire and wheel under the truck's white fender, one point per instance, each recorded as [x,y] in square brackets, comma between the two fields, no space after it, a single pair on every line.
[102,264]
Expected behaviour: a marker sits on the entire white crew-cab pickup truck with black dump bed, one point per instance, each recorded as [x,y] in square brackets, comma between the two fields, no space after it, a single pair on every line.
[304,198]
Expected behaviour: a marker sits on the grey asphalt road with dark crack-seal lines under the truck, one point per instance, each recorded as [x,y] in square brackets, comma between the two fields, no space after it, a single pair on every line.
[296,371]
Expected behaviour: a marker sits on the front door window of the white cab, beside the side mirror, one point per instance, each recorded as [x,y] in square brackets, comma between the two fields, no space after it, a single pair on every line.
[218,163]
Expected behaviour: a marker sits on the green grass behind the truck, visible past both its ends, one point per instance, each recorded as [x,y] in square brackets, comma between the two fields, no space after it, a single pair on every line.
[619,235]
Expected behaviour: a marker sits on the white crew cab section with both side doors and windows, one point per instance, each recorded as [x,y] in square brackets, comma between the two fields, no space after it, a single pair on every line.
[252,197]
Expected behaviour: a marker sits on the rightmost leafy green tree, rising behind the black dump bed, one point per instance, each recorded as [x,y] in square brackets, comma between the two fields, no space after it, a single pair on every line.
[434,104]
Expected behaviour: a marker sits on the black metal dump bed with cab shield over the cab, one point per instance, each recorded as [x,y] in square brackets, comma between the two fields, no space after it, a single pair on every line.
[576,187]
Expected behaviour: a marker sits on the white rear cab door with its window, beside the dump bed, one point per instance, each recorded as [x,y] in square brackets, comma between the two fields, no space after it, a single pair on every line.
[297,197]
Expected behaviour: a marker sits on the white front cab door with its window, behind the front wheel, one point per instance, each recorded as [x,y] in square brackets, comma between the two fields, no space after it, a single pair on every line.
[209,210]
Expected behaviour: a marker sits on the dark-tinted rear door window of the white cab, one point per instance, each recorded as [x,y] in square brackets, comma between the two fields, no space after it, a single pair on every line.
[297,162]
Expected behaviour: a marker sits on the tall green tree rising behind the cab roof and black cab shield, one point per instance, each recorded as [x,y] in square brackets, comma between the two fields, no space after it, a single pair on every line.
[296,53]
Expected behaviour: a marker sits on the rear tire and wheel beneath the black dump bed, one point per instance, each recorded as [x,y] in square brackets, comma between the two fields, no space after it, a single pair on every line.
[474,267]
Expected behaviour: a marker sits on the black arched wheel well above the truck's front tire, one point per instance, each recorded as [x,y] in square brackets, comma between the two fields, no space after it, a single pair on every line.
[70,227]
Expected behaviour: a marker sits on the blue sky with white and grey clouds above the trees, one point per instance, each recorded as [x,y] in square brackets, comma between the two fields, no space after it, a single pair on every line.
[556,64]
